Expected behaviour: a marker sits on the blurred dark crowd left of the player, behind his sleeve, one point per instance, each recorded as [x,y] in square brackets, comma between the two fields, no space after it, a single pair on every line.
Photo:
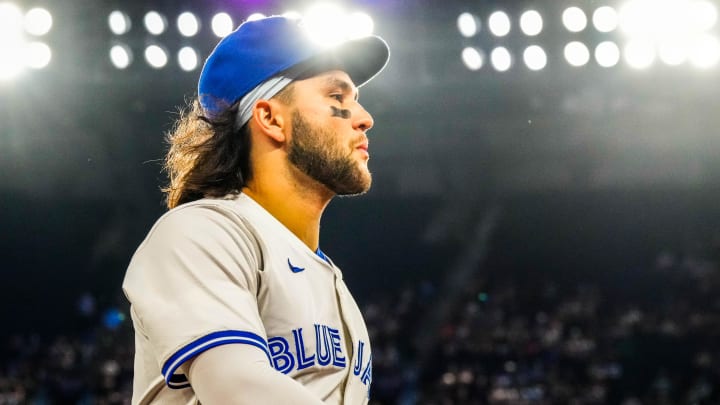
[91,368]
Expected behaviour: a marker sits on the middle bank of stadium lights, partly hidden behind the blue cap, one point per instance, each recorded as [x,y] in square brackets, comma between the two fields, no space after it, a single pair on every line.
[326,19]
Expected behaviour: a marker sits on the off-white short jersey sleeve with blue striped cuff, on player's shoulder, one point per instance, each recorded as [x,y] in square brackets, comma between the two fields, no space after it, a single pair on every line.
[192,285]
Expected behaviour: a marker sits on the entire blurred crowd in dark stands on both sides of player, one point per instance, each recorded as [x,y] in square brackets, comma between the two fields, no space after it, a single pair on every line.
[511,336]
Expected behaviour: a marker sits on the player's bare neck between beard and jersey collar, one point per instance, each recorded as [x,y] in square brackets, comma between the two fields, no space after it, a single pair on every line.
[295,207]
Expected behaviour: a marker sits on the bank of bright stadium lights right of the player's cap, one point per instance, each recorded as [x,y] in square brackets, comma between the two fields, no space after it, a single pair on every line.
[675,31]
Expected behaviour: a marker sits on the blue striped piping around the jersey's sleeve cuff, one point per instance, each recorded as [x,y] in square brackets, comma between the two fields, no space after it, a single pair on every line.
[202,344]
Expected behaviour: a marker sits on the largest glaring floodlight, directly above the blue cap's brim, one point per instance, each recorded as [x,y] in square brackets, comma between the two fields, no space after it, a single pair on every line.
[325,24]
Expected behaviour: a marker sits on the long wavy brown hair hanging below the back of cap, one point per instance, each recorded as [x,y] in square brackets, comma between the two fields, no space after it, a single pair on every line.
[208,157]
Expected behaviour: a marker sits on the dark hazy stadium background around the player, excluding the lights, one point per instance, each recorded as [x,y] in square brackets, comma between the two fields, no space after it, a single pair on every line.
[586,196]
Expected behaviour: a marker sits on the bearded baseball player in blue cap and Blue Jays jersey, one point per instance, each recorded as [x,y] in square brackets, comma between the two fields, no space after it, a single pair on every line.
[232,300]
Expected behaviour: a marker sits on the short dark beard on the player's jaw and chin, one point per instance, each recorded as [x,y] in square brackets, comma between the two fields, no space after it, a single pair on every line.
[315,152]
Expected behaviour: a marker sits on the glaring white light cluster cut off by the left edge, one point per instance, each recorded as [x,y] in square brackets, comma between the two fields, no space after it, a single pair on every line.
[20,39]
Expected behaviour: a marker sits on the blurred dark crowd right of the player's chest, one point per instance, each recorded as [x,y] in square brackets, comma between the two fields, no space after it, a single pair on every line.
[631,337]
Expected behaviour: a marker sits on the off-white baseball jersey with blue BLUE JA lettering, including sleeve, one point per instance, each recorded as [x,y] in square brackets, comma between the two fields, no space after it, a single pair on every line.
[225,271]
